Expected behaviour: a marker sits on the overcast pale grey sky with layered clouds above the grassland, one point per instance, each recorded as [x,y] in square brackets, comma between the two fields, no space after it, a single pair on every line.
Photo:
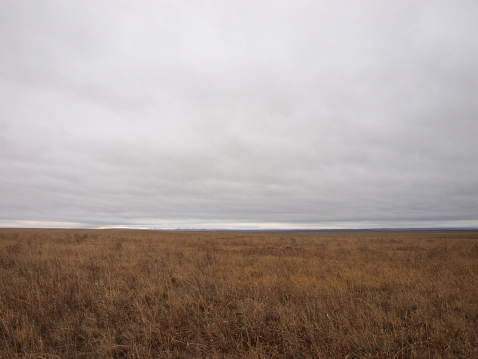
[239,114]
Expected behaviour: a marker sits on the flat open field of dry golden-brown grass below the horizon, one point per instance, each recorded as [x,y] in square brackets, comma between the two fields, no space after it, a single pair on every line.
[140,294]
